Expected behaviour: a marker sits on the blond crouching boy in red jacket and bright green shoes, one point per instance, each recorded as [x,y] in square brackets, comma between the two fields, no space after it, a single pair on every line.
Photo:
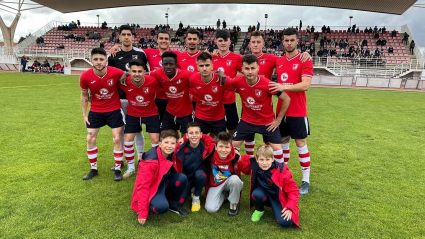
[271,185]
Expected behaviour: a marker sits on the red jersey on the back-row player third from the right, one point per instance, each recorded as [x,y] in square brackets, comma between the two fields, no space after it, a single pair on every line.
[230,64]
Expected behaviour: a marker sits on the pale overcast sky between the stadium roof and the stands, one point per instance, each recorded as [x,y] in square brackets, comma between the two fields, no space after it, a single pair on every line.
[238,14]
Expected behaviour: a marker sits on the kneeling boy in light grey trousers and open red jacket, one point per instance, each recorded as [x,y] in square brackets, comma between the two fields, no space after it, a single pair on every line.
[224,181]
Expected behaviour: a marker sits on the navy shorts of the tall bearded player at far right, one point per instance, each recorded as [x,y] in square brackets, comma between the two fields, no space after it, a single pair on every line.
[296,127]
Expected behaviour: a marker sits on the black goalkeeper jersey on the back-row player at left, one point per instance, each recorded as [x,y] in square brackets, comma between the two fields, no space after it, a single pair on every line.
[121,60]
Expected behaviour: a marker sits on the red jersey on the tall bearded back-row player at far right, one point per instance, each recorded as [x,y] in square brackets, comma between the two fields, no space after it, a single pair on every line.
[290,72]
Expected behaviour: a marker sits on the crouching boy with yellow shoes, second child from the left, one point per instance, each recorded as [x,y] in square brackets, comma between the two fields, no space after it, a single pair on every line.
[188,159]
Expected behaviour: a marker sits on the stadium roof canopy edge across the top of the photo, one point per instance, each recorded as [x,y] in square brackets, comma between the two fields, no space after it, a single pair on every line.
[387,6]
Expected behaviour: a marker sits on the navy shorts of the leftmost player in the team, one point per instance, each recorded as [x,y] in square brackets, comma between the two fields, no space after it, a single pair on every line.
[114,119]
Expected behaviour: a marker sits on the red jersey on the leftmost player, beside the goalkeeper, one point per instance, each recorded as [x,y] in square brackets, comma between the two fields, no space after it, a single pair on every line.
[104,89]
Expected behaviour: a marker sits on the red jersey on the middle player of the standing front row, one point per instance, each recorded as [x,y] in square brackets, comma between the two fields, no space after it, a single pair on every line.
[176,90]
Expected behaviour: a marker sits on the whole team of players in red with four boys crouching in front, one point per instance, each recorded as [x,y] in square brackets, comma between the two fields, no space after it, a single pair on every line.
[193,93]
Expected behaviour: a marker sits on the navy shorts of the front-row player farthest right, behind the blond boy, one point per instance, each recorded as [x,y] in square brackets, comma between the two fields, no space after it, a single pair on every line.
[247,131]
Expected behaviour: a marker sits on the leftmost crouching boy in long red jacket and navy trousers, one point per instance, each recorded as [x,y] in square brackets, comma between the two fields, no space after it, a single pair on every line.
[157,177]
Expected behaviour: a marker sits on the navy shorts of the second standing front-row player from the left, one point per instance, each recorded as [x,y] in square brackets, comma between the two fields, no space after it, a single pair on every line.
[134,124]
